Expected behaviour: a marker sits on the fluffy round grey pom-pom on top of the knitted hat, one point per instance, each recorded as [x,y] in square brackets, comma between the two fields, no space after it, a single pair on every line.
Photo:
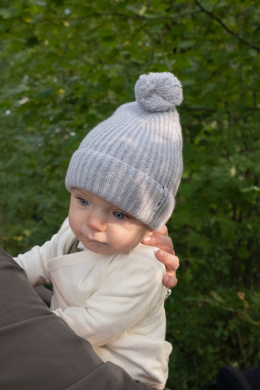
[158,92]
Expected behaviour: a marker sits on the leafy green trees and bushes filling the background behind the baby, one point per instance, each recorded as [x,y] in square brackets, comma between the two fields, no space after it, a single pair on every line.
[65,66]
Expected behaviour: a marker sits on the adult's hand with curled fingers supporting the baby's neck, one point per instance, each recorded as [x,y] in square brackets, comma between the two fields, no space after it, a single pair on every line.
[165,254]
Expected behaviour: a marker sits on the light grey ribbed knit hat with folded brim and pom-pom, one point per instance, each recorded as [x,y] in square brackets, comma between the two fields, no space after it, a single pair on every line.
[134,158]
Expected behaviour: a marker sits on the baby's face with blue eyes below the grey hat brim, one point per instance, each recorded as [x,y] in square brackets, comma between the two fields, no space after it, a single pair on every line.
[101,226]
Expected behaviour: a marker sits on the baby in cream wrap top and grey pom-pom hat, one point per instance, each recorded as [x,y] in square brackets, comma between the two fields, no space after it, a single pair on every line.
[123,180]
